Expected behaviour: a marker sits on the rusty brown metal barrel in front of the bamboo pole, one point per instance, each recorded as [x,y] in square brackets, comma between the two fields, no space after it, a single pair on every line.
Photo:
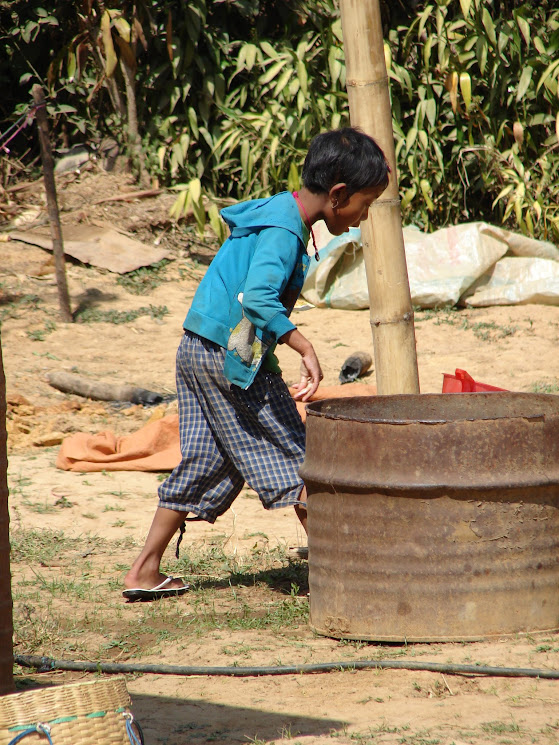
[433,517]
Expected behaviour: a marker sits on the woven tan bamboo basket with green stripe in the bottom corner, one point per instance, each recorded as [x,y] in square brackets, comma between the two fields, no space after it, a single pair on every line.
[89,713]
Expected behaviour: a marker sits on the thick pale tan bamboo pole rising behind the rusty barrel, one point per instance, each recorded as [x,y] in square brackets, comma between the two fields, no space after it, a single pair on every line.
[383,243]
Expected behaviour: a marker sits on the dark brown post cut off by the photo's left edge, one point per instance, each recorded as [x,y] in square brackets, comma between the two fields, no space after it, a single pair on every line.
[6,617]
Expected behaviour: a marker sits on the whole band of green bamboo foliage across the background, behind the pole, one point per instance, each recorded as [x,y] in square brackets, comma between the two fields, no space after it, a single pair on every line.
[229,95]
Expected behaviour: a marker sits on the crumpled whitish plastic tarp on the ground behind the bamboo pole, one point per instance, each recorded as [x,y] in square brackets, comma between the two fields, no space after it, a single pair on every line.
[460,264]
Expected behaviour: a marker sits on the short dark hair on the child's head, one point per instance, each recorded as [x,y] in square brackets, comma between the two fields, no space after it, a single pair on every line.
[346,156]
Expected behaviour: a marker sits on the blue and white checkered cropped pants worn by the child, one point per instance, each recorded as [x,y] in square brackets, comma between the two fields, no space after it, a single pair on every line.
[230,436]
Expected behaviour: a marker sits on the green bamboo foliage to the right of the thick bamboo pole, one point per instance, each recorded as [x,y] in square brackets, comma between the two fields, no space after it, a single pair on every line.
[475,106]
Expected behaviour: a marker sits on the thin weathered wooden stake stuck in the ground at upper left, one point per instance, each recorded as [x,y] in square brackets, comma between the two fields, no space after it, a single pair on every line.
[52,205]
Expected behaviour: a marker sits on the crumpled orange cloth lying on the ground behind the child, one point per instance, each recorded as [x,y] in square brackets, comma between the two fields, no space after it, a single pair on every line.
[155,446]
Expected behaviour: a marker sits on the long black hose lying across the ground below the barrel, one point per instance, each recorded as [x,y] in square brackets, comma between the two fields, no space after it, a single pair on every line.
[45,664]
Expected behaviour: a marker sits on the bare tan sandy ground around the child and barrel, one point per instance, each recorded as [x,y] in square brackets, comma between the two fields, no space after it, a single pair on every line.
[511,347]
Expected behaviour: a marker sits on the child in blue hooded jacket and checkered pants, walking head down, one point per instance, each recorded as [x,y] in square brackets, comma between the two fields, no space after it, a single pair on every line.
[238,421]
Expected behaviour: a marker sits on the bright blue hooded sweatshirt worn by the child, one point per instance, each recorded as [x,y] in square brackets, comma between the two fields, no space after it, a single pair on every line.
[244,301]
